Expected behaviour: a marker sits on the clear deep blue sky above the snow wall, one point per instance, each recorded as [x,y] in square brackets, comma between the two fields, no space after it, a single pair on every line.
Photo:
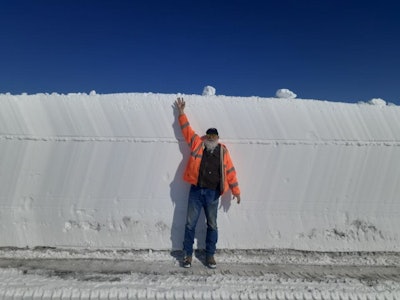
[339,50]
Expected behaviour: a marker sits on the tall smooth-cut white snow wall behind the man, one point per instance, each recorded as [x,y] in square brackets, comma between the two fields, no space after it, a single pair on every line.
[104,171]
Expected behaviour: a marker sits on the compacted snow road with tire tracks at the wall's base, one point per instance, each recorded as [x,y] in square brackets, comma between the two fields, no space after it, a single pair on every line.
[54,274]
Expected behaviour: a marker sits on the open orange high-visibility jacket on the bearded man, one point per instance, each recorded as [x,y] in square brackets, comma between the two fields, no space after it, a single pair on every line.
[195,142]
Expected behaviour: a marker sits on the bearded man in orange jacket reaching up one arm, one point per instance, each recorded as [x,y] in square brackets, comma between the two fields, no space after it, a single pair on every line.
[210,172]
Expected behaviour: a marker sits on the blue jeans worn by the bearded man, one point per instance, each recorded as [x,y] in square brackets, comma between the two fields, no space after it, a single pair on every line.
[208,200]
